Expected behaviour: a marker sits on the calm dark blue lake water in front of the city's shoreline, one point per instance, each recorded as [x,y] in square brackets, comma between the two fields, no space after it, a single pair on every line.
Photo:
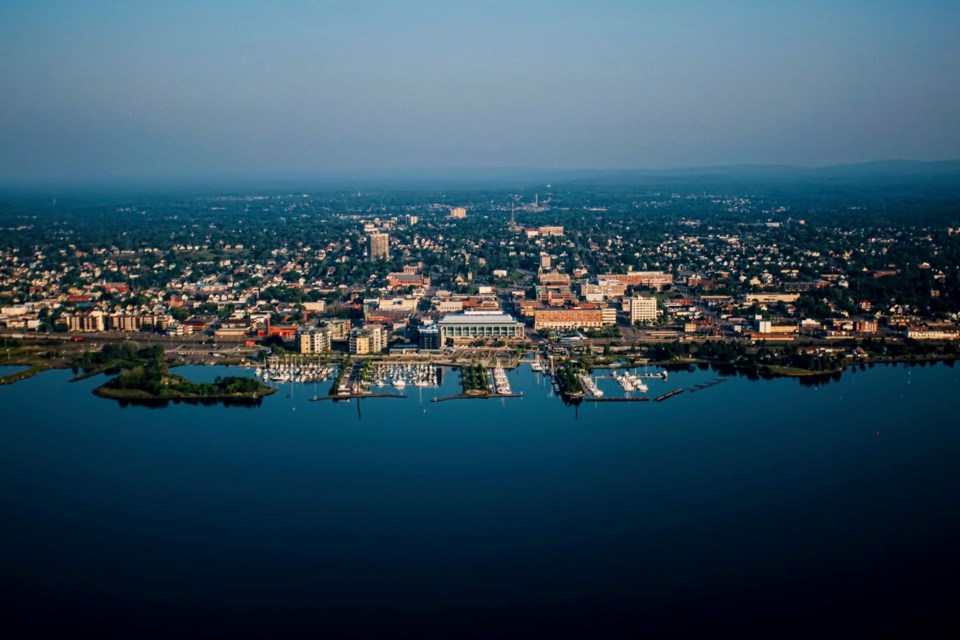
[762,506]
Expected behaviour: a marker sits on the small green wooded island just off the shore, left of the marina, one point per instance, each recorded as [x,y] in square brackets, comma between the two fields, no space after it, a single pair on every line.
[143,377]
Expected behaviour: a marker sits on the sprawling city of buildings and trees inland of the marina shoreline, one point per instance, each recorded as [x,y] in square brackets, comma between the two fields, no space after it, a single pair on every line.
[459,275]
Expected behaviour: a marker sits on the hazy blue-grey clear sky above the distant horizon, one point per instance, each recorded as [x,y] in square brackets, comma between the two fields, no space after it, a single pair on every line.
[107,90]
